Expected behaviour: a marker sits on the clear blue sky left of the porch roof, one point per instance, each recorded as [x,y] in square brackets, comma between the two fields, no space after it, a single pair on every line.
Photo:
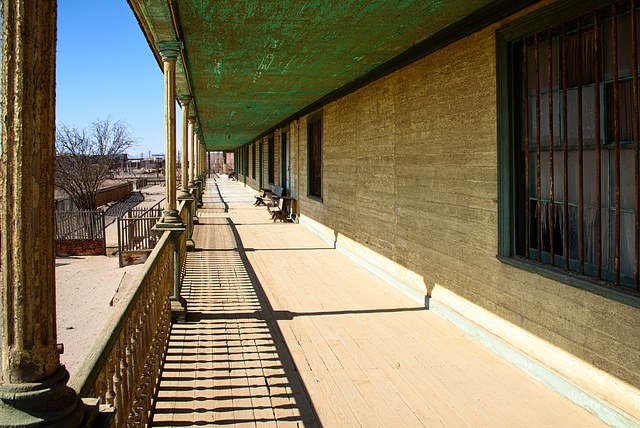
[105,68]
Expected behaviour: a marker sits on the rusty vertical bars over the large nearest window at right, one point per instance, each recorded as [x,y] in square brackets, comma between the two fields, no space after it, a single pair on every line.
[579,145]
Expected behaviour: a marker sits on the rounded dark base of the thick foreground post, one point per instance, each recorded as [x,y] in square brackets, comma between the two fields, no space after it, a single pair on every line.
[48,403]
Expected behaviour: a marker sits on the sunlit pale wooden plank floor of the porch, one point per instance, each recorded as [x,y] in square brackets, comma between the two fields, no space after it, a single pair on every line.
[285,331]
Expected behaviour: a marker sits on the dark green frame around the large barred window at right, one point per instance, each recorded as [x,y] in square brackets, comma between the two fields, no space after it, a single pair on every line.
[510,199]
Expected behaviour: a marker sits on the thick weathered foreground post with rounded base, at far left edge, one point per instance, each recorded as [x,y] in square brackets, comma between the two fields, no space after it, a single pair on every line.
[33,385]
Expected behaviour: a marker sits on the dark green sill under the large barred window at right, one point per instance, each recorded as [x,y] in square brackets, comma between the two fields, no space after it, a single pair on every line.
[616,294]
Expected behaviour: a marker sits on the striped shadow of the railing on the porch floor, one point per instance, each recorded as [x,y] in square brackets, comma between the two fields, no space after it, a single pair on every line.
[222,366]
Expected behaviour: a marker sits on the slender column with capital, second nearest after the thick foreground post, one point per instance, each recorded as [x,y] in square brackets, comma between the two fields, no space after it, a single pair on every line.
[169,52]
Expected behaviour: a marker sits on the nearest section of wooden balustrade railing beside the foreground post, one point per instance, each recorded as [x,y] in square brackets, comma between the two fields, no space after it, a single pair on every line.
[122,368]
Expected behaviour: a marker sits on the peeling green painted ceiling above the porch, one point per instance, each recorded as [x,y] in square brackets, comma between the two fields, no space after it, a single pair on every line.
[252,64]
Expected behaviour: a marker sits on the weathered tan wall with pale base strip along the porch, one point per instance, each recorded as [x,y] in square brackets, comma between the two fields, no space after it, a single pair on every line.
[410,184]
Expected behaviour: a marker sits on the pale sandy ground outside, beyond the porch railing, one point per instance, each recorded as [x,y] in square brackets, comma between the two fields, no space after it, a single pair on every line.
[88,288]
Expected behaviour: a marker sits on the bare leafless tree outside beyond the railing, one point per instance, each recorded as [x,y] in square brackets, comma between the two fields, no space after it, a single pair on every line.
[85,158]
